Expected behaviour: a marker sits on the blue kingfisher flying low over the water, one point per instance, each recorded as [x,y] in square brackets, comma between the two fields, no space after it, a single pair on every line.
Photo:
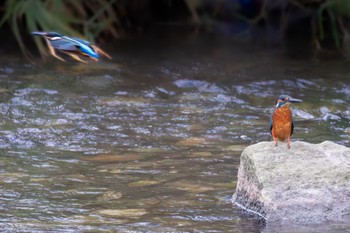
[74,47]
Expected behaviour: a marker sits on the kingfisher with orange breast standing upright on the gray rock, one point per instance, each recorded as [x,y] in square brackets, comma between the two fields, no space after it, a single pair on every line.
[281,120]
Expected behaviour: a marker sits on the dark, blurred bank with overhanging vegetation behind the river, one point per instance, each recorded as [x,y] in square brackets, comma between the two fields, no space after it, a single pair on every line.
[306,25]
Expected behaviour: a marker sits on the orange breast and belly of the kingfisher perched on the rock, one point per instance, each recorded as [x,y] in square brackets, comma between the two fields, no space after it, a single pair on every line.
[282,123]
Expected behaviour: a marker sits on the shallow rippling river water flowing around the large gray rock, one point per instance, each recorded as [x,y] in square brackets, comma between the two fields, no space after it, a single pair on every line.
[150,140]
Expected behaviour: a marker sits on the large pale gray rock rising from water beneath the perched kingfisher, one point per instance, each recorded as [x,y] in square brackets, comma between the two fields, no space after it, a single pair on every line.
[310,183]
